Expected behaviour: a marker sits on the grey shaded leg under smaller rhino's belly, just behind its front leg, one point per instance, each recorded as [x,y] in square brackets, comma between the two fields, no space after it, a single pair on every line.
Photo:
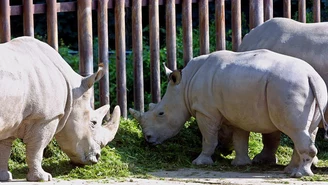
[240,143]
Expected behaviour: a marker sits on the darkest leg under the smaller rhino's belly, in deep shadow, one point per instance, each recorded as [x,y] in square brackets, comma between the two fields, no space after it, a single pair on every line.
[270,145]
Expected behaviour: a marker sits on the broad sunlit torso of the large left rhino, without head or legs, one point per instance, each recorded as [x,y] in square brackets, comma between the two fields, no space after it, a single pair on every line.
[32,87]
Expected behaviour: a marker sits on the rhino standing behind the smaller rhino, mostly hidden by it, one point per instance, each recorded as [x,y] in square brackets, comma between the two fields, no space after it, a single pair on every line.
[307,41]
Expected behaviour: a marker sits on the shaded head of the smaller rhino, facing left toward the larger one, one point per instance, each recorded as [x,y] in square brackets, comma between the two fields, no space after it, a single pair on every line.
[165,119]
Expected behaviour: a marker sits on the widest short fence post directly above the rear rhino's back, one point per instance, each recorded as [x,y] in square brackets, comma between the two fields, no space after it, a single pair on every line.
[255,13]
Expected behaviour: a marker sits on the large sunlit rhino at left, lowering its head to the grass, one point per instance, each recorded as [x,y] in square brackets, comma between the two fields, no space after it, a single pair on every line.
[42,97]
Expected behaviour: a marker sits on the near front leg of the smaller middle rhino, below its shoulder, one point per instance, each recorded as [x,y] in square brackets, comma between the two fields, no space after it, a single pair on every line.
[209,130]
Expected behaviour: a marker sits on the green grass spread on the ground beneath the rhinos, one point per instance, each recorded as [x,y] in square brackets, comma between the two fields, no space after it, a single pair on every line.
[129,155]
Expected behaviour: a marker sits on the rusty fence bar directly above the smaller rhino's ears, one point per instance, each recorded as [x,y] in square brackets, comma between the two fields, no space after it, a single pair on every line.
[171,34]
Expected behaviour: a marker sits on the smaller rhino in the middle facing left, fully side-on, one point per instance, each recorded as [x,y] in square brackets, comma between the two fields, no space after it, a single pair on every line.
[259,91]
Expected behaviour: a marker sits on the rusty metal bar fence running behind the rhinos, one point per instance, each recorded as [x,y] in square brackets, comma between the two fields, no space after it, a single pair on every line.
[260,10]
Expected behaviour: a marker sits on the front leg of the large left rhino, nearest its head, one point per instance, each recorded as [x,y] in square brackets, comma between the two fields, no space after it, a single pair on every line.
[39,136]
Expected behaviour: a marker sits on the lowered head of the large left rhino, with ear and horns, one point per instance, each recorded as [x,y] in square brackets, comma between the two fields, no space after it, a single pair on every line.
[84,135]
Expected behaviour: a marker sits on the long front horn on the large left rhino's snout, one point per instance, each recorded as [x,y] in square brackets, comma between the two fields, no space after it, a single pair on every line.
[111,126]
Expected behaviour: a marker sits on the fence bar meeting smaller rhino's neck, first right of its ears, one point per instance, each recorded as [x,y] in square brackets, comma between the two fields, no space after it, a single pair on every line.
[187,30]
